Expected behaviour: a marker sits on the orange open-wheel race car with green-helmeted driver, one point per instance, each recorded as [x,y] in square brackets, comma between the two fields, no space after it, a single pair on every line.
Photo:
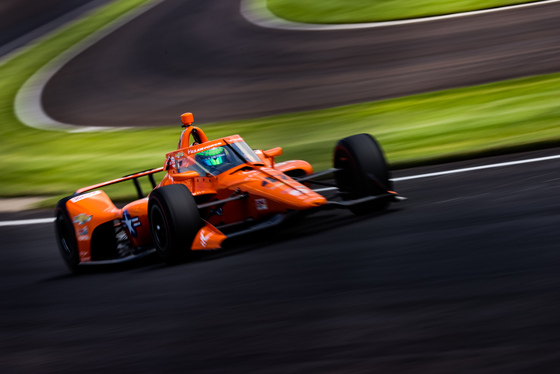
[213,191]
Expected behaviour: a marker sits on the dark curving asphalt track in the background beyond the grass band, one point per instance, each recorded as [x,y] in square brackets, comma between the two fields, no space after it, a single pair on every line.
[204,57]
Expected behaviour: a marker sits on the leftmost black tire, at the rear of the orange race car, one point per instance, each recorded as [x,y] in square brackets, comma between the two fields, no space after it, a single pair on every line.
[66,236]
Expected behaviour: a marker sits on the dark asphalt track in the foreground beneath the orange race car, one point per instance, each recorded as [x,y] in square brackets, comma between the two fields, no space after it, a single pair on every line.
[462,278]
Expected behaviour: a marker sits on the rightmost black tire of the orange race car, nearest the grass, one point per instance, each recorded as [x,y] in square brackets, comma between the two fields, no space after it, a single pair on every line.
[363,172]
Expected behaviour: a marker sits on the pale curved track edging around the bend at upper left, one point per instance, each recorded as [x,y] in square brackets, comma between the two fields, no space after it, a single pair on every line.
[28,106]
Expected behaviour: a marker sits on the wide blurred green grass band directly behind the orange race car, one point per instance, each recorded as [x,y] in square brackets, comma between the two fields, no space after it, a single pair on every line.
[420,129]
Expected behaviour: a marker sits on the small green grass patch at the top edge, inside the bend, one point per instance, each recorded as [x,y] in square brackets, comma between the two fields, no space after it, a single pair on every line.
[356,11]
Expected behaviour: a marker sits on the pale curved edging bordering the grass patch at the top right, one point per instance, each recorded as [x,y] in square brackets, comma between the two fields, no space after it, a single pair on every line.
[257,13]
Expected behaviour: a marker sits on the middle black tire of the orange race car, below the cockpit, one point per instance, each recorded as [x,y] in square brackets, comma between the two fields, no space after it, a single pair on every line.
[174,222]
